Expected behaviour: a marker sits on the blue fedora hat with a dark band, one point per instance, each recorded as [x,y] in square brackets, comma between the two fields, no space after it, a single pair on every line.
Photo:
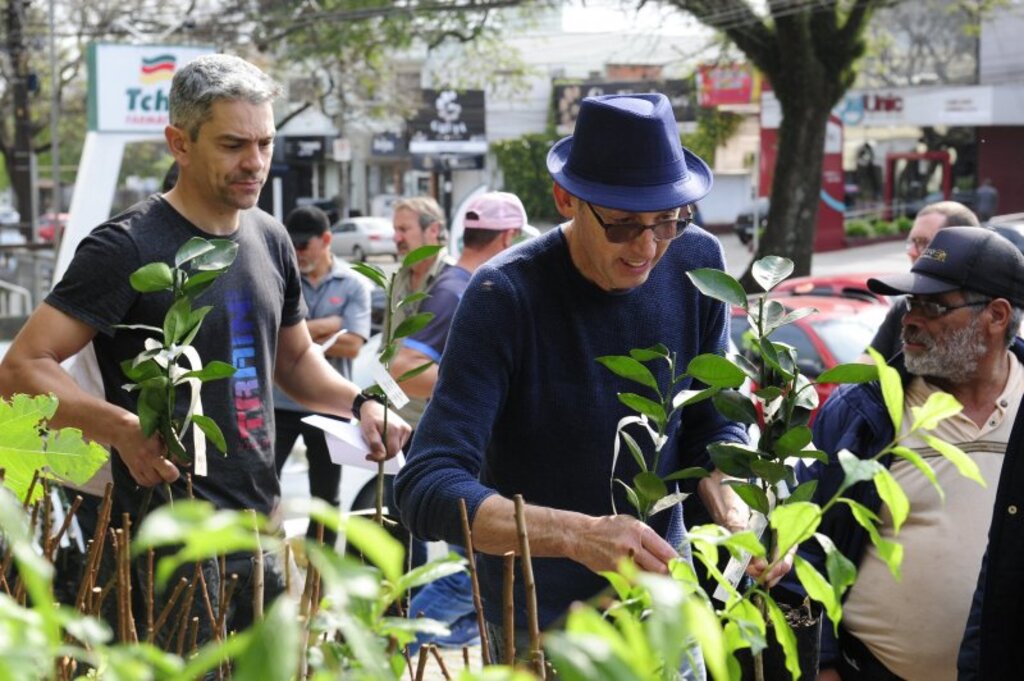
[625,154]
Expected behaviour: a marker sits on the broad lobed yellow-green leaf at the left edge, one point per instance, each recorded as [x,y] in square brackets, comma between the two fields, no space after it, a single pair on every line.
[24,450]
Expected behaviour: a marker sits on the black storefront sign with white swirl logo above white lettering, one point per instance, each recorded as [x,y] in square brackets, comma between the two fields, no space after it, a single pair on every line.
[450,122]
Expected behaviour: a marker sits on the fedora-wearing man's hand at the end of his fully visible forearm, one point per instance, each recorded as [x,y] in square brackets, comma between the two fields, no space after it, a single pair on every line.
[607,540]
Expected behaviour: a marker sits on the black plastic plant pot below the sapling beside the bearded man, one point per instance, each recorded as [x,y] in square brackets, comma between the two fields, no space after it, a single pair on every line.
[806,623]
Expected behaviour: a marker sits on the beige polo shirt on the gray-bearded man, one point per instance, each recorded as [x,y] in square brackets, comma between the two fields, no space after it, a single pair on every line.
[915,626]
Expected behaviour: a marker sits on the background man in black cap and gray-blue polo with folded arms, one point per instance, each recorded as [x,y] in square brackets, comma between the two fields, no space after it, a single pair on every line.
[338,318]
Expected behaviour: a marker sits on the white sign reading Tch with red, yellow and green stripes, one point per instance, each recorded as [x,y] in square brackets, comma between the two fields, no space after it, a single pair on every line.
[130,86]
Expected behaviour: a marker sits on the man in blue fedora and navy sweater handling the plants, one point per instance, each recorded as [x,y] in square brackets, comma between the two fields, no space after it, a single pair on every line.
[522,407]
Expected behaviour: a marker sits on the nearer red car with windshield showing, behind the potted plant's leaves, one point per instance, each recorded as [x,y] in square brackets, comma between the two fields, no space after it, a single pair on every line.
[837,334]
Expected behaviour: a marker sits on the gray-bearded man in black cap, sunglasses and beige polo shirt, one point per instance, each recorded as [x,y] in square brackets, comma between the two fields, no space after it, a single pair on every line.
[965,295]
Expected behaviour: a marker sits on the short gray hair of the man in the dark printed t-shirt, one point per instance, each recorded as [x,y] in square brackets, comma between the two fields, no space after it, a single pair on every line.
[211,78]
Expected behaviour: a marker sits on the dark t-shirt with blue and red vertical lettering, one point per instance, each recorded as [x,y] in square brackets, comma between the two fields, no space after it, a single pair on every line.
[259,294]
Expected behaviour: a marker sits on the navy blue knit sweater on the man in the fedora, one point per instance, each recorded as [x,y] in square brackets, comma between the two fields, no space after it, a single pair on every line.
[522,407]
